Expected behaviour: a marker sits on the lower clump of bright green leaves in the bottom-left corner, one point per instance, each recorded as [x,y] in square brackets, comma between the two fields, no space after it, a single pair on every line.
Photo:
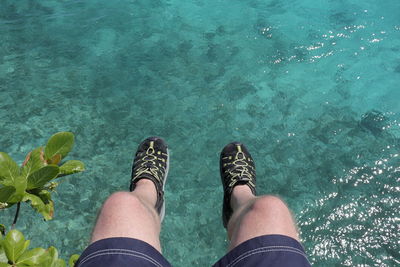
[14,252]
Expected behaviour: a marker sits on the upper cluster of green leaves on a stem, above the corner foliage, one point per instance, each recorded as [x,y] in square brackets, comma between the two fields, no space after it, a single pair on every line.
[33,181]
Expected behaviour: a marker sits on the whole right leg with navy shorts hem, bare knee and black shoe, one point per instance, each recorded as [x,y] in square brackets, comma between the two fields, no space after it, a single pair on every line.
[261,229]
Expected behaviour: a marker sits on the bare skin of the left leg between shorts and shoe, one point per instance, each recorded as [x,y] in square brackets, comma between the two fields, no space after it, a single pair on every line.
[130,214]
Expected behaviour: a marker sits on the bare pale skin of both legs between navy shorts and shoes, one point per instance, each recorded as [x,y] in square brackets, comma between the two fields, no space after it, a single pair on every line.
[132,214]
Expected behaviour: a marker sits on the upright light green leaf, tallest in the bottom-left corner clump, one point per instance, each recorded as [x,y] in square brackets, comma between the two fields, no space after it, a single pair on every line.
[14,245]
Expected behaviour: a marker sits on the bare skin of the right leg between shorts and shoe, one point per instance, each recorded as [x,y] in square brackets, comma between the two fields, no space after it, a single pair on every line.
[255,216]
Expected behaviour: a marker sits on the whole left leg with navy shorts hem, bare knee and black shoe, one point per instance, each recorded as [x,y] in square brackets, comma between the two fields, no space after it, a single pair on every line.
[128,226]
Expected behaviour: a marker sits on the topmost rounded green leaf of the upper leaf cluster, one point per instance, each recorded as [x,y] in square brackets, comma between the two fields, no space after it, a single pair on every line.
[60,143]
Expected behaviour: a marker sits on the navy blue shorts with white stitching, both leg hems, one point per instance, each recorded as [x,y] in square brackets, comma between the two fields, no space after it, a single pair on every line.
[267,250]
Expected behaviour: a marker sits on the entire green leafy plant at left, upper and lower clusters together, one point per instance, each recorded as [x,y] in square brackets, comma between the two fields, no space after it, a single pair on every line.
[33,182]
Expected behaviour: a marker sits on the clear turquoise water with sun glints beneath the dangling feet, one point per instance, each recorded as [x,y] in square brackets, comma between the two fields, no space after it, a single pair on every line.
[312,88]
